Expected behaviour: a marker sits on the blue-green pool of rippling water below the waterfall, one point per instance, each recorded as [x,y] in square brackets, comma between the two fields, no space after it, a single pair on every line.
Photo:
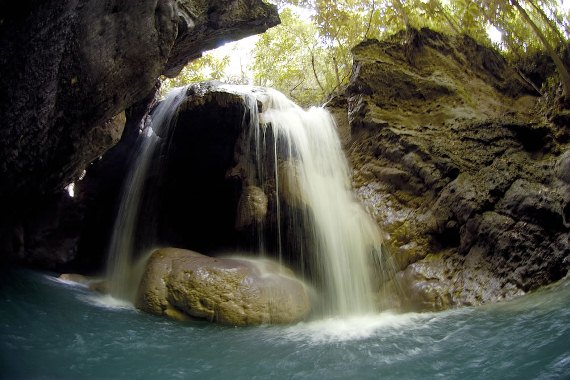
[53,330]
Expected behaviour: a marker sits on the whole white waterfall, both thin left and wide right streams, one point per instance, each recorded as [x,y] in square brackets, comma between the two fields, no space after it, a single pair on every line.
[298,162]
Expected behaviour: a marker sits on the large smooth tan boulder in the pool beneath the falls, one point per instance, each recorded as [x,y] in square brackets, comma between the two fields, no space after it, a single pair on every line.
[232,291]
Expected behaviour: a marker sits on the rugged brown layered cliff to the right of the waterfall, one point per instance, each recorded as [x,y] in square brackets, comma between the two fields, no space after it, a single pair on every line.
[453,158]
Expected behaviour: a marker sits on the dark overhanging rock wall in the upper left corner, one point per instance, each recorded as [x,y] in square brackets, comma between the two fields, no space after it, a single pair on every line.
[70,69]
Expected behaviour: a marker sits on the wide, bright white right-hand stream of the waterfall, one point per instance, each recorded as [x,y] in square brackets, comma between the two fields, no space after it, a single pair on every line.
[300,153]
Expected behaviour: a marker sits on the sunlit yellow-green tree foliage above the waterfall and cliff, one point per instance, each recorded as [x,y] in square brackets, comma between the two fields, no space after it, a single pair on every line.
[308,56]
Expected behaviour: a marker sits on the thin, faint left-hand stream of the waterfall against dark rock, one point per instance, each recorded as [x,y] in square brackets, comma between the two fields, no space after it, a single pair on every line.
[121,248]
